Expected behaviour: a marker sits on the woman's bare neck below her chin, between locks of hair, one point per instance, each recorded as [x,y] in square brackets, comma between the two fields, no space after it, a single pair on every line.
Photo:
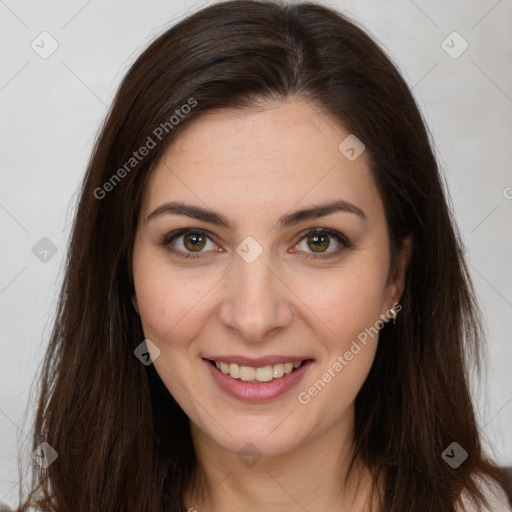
[315,476]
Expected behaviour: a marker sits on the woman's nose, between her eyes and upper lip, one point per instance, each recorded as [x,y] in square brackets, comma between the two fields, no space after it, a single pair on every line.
[257,303]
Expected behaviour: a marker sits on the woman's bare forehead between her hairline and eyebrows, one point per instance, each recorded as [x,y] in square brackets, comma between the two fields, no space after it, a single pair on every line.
[278,156]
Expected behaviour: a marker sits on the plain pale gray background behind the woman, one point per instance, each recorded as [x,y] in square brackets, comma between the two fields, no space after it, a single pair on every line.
[52,108]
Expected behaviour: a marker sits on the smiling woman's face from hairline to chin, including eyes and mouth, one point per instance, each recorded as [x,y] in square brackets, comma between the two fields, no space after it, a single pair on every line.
[227,268]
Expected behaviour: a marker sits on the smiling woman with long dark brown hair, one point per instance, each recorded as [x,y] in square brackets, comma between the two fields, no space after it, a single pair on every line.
[266,305]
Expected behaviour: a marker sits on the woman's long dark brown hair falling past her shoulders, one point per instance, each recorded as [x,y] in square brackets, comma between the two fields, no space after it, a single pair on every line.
[123,443]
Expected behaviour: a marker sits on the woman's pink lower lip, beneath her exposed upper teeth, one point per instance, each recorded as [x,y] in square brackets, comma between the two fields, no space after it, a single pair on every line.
[257,392]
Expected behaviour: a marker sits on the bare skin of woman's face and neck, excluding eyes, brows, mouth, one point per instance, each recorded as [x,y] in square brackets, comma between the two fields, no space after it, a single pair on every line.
[253,167]
